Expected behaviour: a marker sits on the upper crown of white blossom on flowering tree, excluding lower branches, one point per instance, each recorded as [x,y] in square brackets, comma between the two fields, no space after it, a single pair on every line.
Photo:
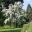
[14,11]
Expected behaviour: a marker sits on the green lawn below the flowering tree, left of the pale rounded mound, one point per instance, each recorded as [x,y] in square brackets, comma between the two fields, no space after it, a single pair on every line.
[9,29]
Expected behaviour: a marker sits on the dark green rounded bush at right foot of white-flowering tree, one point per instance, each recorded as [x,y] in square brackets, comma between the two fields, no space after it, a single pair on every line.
[21,21]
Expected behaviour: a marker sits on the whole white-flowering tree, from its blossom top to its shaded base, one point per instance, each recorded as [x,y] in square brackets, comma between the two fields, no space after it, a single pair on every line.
[13,14]
